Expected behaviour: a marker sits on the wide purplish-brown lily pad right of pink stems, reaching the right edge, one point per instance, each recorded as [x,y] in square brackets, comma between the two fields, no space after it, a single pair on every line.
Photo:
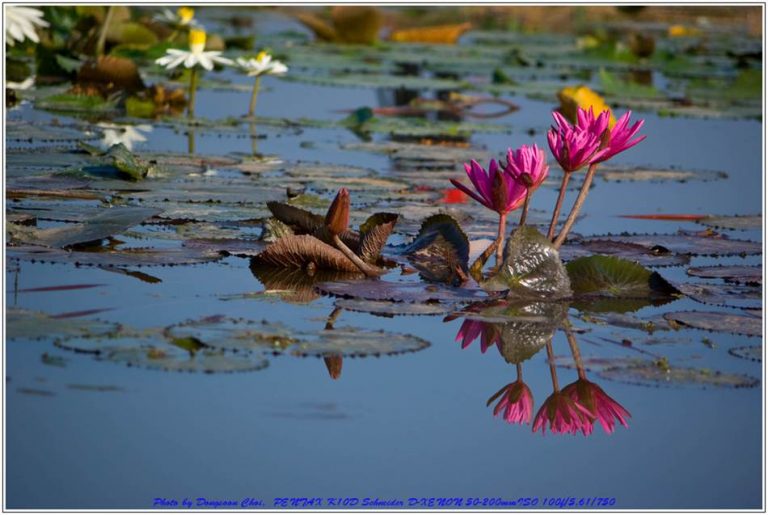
[696,244]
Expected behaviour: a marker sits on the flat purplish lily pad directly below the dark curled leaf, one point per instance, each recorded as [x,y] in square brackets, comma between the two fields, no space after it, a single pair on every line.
[399,292]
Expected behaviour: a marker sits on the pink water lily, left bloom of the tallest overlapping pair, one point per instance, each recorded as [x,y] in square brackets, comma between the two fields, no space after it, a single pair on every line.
[575,145]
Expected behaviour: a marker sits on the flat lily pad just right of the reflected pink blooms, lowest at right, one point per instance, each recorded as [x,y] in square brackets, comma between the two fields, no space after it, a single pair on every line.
[650,374]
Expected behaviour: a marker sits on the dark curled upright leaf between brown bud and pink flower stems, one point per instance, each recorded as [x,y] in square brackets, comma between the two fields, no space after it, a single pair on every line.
[440,251]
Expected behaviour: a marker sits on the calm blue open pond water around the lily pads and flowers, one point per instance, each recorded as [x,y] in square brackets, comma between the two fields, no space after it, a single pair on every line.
[398,427]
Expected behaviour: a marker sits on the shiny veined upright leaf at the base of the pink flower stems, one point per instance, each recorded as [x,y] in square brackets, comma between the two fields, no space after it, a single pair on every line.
[531,268]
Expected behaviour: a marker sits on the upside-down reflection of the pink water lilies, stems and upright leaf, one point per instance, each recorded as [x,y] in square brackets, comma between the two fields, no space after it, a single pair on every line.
[519,332]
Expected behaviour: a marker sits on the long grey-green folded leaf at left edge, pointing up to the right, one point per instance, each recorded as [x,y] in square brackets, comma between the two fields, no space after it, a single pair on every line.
[108,222]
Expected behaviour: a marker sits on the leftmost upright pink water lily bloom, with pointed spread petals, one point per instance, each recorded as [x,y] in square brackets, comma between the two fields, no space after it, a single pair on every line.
[494,189]
